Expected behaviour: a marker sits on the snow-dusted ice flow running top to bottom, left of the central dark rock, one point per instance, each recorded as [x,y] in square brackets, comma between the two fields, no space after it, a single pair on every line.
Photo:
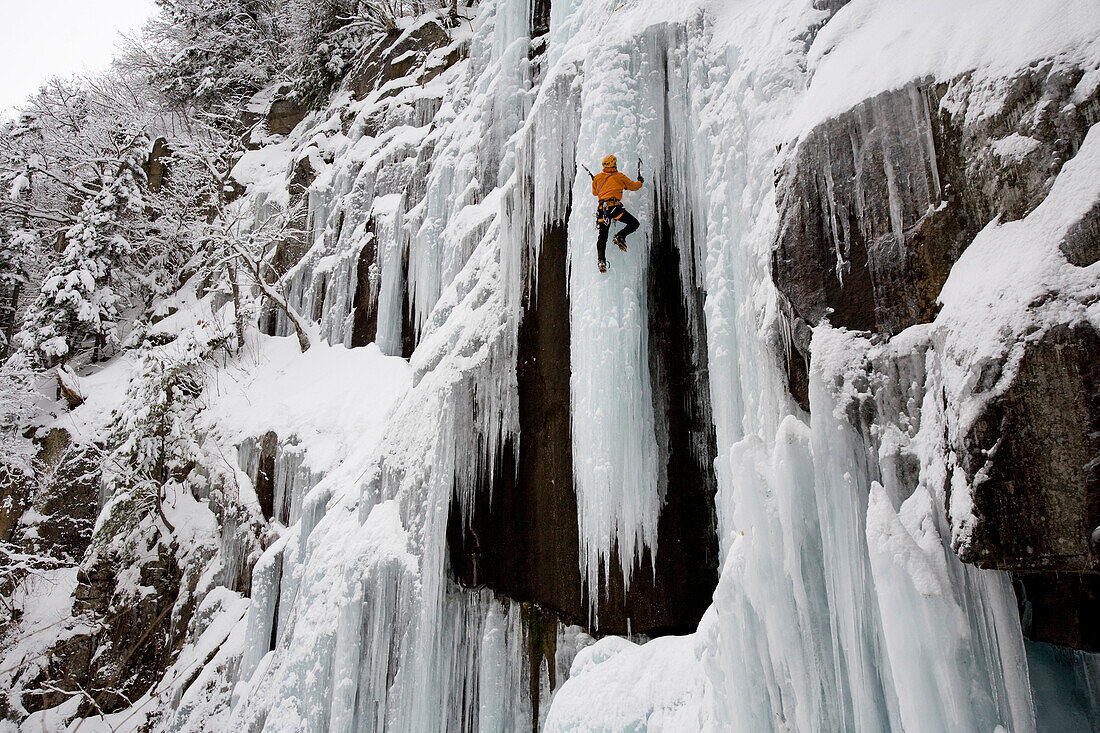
[371,636]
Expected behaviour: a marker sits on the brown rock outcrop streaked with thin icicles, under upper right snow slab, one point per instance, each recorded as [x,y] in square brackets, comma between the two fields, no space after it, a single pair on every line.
[877,204]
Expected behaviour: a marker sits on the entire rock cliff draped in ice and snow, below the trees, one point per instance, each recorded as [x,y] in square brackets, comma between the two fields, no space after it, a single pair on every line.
[834,568]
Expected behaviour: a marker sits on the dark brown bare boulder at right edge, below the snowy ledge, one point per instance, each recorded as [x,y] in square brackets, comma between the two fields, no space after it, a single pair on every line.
[1032,461]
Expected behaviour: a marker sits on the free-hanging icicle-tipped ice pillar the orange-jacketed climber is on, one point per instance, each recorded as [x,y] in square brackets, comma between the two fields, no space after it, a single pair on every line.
[614,441]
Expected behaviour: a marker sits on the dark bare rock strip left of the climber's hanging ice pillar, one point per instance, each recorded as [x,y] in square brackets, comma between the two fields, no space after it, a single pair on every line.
[524,541]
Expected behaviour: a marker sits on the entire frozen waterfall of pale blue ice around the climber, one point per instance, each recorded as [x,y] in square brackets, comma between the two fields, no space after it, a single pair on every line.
[841,604]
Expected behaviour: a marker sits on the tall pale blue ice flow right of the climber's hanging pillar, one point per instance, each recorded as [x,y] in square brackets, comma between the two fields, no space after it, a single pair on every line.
[807,629]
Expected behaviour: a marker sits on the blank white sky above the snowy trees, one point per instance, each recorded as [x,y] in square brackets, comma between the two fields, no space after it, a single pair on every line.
[40,39]
